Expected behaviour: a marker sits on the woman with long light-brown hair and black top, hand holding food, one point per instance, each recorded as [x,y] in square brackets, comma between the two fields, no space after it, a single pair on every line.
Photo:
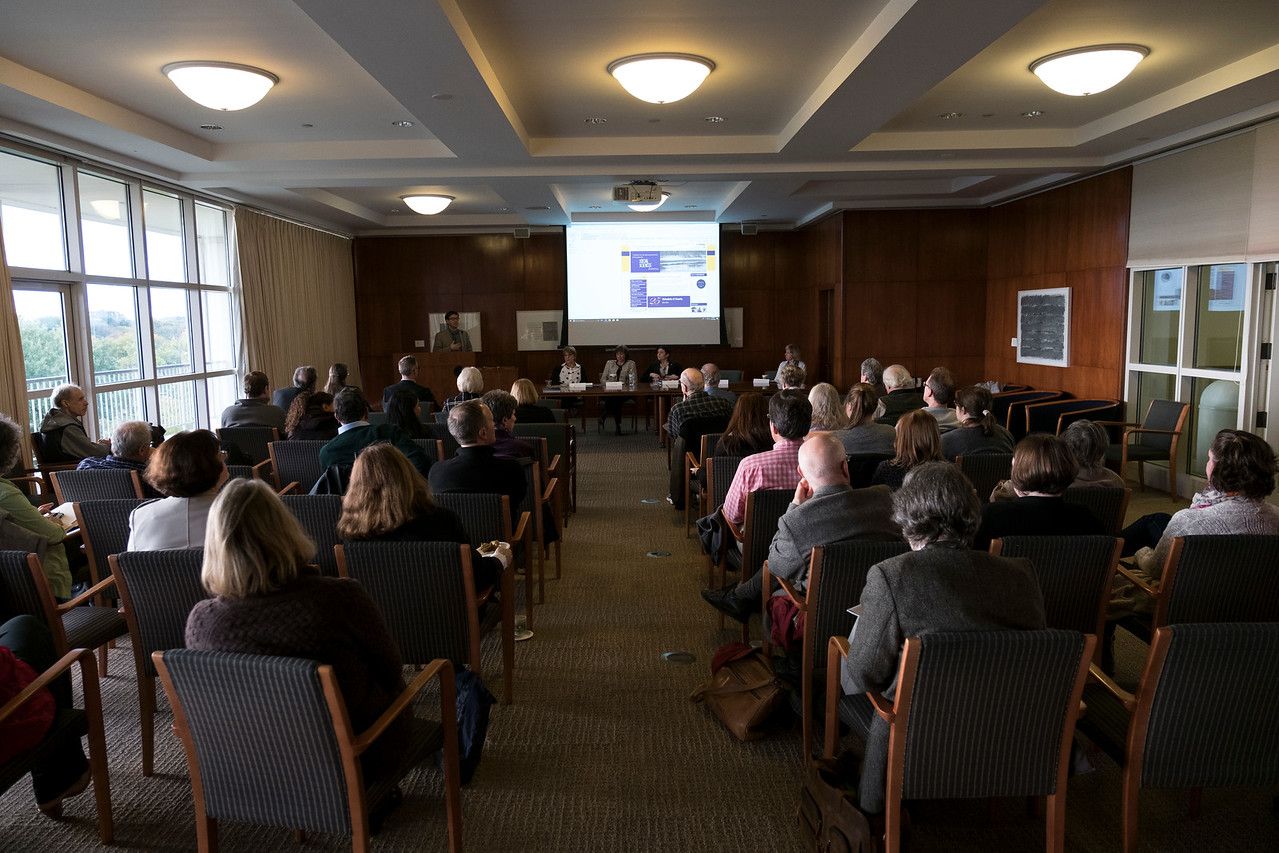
[388,501]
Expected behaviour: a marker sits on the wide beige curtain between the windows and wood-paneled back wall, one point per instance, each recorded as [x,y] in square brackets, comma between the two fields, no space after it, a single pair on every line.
[299,299]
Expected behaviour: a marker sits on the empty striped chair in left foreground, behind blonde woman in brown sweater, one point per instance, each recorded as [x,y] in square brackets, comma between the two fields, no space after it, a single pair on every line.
[269,741]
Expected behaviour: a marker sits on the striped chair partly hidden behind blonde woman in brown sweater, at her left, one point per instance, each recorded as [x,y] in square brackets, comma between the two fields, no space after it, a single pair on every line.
[159,590]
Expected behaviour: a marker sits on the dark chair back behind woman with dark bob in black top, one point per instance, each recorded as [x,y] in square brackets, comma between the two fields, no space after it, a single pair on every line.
[1075,574]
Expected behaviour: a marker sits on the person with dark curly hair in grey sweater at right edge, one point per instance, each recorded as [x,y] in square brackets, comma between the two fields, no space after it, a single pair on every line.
[1241,475]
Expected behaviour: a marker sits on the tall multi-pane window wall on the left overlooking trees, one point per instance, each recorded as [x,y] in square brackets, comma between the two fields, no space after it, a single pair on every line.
[123,288]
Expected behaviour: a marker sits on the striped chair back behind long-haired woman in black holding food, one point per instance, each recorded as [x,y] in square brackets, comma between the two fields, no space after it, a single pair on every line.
[425,593]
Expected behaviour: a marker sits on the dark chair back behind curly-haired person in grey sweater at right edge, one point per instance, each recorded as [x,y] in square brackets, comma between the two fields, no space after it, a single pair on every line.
[1221,579]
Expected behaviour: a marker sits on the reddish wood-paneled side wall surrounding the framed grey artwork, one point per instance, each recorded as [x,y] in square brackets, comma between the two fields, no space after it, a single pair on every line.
[1074,237]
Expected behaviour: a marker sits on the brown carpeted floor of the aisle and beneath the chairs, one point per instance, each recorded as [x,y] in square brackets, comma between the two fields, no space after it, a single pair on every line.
[603,750]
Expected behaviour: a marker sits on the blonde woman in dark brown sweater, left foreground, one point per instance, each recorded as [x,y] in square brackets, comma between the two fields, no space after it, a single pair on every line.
[269,600]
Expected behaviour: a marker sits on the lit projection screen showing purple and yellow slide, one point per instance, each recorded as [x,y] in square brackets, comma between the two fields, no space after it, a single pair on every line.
[644,283]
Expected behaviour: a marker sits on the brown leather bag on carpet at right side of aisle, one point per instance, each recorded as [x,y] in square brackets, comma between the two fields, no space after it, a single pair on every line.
[744,691]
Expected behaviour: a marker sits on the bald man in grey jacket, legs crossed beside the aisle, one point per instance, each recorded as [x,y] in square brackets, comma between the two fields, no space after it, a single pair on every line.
[826,510]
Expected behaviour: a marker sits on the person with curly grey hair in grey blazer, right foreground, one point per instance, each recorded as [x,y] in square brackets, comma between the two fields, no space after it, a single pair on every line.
[939,586]
